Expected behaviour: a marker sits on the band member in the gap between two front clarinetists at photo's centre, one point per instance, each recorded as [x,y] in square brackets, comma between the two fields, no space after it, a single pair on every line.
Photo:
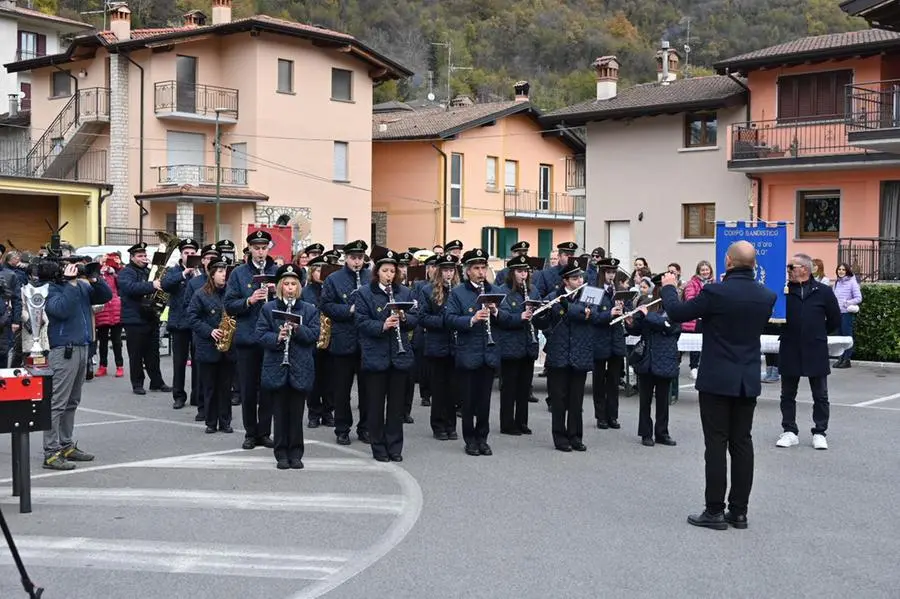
[438,346]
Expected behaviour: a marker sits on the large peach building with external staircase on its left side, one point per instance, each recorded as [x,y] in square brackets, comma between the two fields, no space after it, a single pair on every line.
[292,104]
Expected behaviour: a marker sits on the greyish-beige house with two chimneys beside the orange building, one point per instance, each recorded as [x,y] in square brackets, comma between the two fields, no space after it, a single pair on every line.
[657,164]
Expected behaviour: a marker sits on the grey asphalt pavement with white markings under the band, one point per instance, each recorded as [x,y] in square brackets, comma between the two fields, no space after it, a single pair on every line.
[167,511]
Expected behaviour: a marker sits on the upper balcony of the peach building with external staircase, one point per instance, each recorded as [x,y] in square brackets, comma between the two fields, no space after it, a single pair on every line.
[195,103]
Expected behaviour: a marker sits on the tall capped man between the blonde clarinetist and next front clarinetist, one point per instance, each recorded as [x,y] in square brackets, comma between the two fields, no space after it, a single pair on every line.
[338,304]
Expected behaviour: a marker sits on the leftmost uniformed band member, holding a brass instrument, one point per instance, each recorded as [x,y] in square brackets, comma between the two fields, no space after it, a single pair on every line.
[141,324]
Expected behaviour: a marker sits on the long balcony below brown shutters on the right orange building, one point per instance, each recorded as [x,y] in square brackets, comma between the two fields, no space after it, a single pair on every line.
[768,146]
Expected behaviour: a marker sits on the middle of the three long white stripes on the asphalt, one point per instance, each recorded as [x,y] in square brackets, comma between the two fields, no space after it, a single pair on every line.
[222,500]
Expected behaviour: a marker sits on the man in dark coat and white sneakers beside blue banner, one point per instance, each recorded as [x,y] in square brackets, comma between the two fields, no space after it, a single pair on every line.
[812,311]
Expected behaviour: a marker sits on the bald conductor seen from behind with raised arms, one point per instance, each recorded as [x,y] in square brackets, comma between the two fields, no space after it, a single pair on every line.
[734,314]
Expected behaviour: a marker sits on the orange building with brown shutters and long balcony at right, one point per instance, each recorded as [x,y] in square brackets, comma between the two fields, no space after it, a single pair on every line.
[823,144]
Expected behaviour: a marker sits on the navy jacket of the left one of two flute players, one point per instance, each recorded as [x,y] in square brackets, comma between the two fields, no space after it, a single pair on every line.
[570,334]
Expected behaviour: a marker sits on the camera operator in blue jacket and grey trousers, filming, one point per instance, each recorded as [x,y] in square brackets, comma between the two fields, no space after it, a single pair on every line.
[69,309]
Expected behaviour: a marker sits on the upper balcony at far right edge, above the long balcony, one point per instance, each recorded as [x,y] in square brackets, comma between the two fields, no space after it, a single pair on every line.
[875,115]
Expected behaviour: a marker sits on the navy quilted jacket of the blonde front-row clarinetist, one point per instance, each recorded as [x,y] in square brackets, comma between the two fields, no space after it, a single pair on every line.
[302,371]
